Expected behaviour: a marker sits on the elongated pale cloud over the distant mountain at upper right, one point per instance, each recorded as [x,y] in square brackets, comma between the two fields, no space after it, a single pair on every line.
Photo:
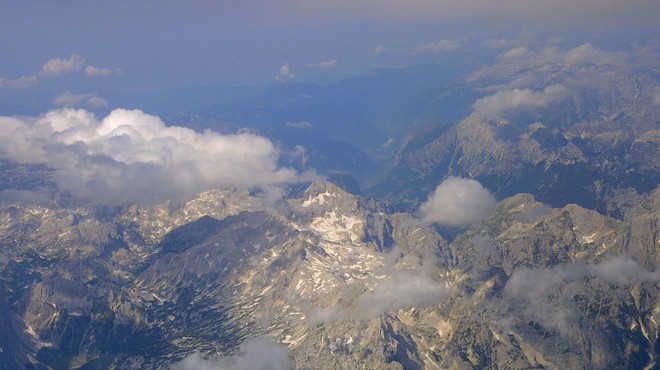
[495,105]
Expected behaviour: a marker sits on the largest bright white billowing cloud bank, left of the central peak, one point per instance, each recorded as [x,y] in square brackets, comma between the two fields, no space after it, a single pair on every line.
[132,157]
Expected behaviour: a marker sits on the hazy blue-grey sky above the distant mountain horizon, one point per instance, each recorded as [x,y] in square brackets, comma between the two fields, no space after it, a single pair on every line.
[145,45]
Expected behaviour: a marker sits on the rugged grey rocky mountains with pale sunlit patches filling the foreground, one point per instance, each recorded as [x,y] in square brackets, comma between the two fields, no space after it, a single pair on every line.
[334,281]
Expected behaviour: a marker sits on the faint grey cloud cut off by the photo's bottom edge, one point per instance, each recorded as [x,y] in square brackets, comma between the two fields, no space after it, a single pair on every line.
[256,353]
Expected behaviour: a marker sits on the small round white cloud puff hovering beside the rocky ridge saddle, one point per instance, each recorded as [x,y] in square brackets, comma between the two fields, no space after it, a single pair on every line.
[457,201]
